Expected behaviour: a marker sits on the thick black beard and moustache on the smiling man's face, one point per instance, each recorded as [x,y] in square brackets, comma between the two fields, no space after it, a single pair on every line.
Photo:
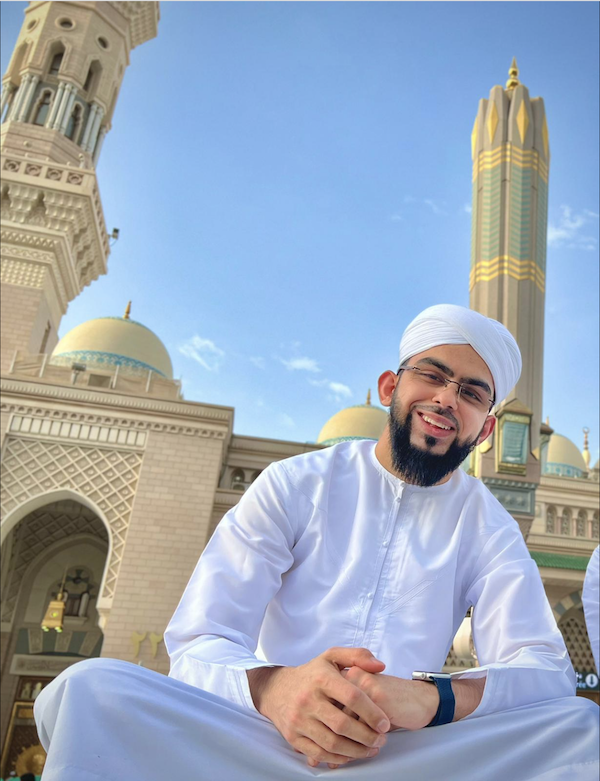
[421,467]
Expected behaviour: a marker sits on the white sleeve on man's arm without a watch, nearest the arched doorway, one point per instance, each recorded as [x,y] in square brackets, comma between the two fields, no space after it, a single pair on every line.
[213,635]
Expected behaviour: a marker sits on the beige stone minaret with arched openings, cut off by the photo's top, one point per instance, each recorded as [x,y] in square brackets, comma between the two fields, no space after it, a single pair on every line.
[58,98]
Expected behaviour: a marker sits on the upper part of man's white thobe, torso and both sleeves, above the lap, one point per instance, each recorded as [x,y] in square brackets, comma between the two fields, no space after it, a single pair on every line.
[330,549]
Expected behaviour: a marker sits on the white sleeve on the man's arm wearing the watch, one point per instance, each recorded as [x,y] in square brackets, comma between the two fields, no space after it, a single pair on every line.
[519,646]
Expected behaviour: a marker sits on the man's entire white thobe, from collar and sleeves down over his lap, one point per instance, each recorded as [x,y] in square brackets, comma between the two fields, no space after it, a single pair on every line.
[330,549]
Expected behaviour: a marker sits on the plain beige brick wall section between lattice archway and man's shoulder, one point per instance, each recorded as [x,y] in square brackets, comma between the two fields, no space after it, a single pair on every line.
[168,530]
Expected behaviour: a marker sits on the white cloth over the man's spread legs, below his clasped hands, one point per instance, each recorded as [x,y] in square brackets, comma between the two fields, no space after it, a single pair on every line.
[108,720]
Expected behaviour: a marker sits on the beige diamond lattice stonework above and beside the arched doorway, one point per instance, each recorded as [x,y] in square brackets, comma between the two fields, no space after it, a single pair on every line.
[106,477]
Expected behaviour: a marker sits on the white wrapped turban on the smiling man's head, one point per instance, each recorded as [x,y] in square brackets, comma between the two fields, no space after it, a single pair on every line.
[451,324]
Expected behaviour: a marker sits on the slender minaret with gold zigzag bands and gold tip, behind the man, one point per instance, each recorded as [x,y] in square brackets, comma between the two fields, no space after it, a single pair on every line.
[511,157]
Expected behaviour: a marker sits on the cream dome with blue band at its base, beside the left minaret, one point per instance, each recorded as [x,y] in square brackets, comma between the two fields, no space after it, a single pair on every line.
[107,342]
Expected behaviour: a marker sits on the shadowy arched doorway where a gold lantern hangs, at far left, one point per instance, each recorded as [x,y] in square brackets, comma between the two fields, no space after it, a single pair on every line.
[58,538]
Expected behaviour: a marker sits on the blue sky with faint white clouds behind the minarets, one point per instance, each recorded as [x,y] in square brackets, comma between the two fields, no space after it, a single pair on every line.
[292,183]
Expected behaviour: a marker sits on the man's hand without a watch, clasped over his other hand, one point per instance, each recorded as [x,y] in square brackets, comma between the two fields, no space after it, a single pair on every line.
[305,704]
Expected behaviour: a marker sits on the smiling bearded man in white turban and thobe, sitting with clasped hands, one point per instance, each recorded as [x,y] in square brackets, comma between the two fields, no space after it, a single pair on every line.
[350,568]
